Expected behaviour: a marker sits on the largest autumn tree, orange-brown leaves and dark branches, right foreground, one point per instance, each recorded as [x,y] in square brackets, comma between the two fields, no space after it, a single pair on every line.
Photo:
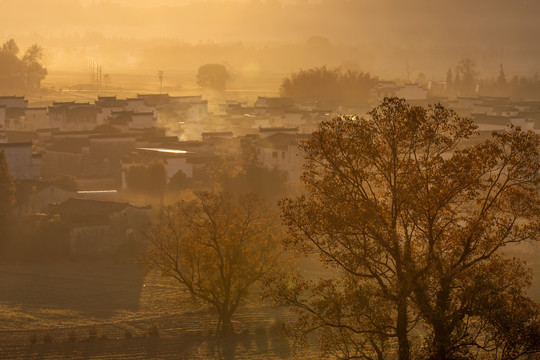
[413,222]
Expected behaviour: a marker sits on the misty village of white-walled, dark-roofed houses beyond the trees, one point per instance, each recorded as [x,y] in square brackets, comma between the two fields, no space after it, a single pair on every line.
[97,144]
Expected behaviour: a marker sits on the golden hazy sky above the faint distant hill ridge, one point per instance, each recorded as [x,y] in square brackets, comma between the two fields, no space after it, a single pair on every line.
[478,21]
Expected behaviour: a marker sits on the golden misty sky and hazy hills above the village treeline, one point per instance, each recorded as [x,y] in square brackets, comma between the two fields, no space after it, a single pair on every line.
[387,38]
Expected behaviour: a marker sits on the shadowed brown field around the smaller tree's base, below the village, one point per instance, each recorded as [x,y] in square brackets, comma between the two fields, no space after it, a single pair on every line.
[104,310]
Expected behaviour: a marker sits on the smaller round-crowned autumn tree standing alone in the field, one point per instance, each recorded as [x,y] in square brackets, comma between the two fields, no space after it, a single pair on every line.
[217,247]
